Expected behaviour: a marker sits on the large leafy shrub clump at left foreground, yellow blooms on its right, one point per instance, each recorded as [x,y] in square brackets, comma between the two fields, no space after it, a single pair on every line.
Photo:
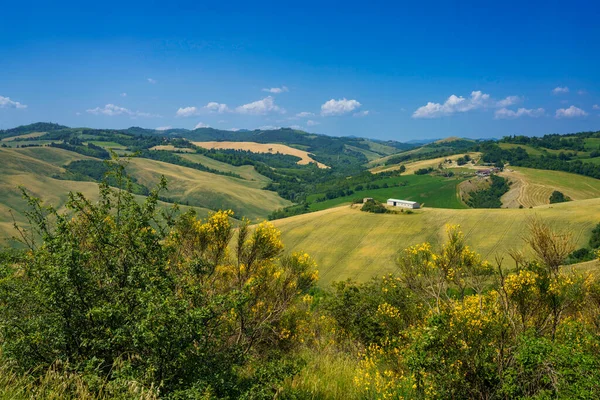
[129,284]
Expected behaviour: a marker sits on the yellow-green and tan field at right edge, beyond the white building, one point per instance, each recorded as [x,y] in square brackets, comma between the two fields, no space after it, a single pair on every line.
[533,187]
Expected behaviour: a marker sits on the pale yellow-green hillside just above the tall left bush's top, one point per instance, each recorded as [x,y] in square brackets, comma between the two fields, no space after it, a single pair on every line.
[208,190]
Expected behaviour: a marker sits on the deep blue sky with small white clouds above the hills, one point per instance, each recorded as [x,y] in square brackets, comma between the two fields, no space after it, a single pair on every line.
[387,70]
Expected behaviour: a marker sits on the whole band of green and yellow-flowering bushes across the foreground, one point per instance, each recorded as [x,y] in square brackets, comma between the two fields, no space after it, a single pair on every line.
[117,299]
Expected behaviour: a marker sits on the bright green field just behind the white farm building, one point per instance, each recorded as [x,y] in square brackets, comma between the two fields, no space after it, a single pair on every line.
[431,191]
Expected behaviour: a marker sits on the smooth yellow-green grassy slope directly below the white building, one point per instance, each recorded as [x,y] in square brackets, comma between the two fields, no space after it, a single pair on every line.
[348,243]
